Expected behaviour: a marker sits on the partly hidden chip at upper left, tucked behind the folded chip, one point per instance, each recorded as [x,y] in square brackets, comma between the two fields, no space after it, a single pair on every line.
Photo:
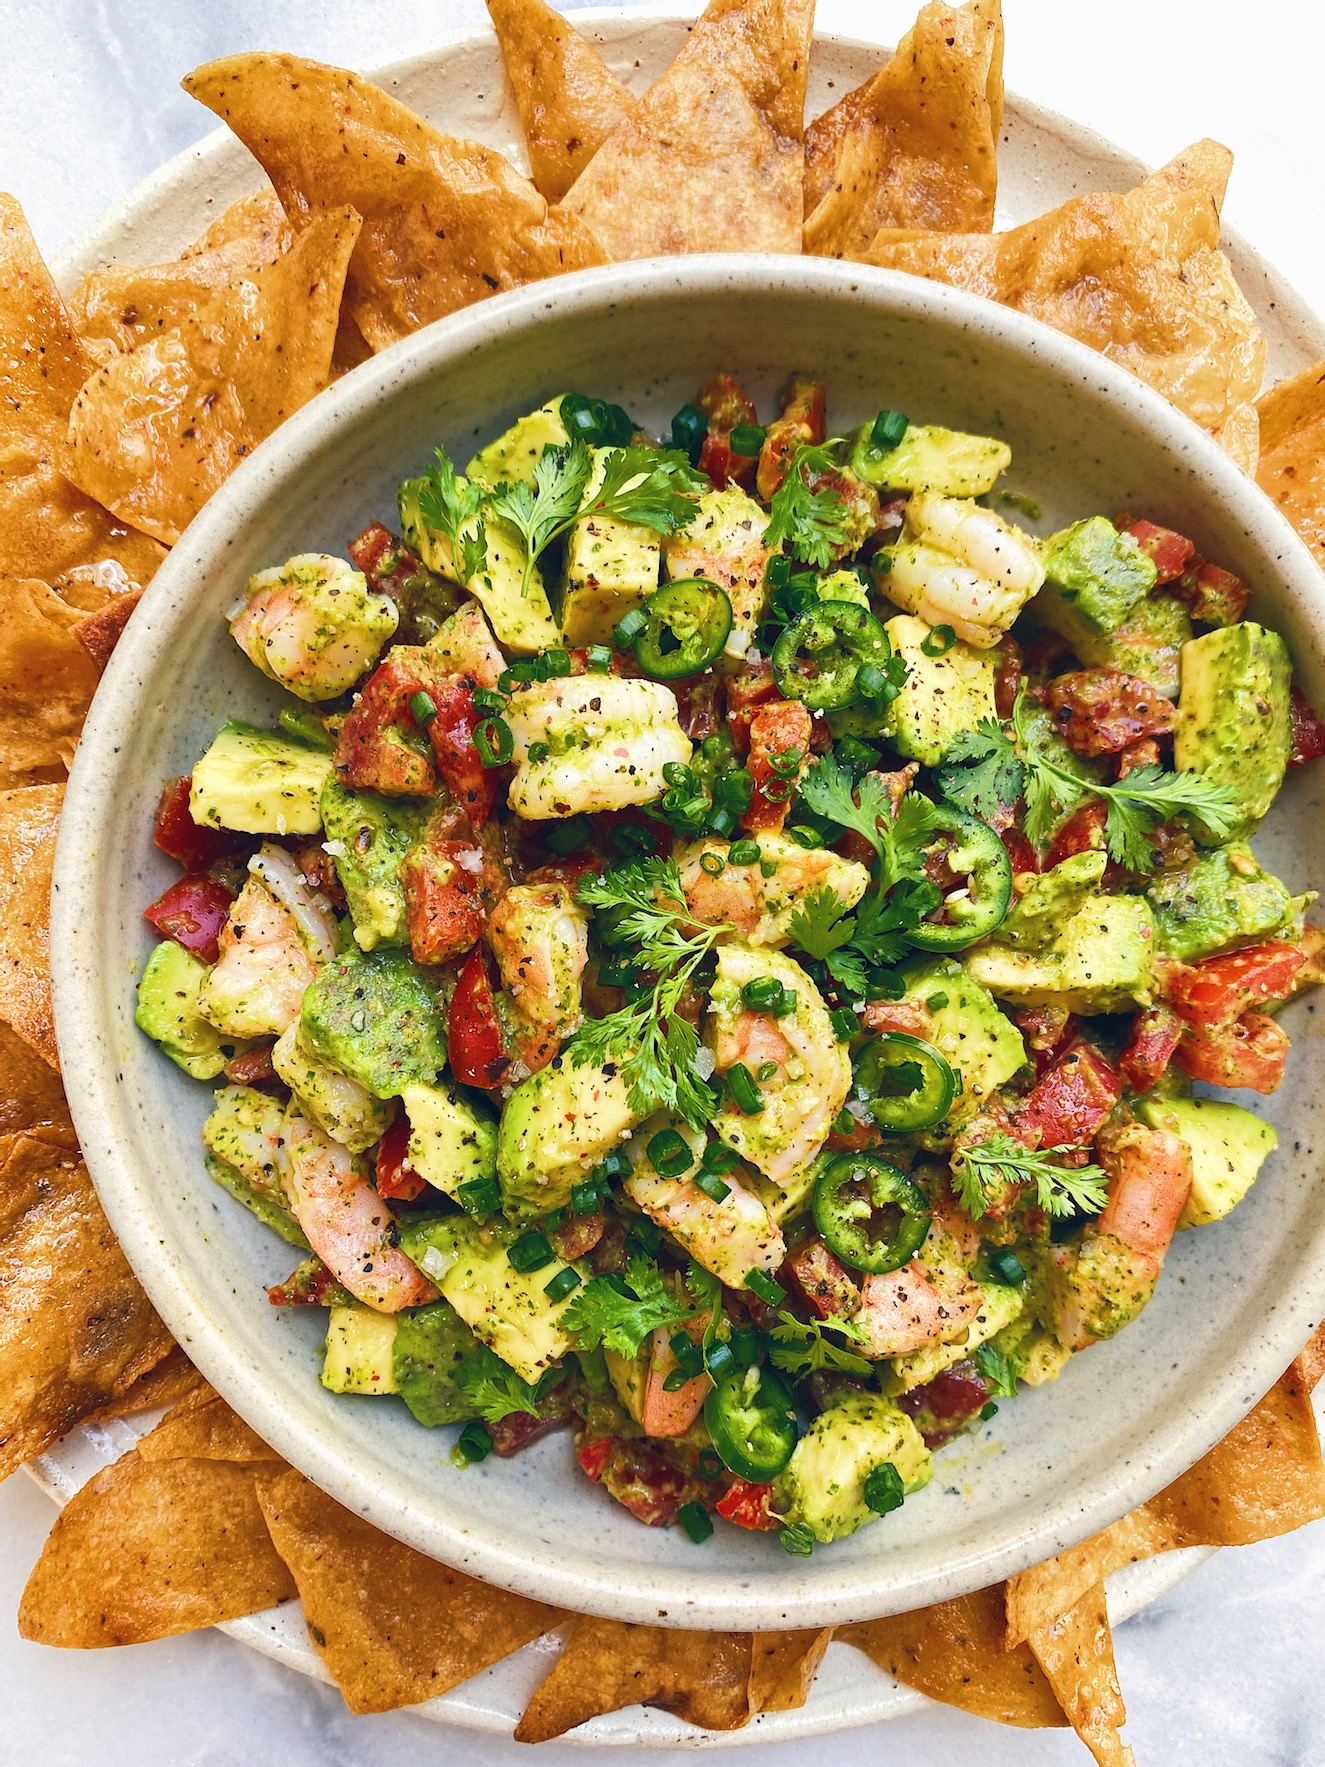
[119,308]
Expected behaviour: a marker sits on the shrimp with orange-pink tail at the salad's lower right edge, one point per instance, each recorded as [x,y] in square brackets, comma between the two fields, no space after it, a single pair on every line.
[1121,1257]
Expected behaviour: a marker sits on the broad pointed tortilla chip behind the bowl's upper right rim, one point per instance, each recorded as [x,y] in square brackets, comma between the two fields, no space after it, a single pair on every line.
[1139,277]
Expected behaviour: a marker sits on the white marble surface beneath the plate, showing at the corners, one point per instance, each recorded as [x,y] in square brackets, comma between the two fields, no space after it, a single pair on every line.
[1225,1671]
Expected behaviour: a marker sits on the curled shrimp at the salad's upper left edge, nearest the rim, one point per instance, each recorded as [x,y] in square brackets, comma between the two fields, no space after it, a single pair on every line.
[314,625]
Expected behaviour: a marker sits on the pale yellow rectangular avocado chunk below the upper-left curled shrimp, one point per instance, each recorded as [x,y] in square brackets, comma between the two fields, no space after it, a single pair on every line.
[259,784]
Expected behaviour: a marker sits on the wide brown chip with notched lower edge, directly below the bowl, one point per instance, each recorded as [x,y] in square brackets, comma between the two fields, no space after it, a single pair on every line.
[609,1665]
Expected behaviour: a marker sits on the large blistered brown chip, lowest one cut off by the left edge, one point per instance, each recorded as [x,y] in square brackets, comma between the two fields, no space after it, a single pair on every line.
[77,1331]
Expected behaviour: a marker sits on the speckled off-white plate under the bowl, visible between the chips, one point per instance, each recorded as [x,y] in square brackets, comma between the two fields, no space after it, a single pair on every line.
[462,89]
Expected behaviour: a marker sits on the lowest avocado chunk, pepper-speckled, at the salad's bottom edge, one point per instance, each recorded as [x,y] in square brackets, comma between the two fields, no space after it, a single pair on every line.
[826,1480]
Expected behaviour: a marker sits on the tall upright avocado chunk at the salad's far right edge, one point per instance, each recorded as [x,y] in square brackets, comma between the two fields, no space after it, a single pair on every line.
[1234,720]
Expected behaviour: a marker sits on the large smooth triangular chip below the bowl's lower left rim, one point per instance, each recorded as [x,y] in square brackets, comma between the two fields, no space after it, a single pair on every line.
[391,1627]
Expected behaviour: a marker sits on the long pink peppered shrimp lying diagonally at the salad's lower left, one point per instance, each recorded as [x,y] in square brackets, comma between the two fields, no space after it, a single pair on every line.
[345,1220]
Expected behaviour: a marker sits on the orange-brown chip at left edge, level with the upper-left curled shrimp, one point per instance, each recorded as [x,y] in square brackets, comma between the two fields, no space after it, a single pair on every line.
[47,683]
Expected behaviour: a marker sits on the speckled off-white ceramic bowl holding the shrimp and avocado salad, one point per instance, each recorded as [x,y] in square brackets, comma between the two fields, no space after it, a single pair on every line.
[1061,1462]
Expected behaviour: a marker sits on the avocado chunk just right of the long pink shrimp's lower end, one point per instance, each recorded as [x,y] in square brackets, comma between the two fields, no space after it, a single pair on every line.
[506,1308]
